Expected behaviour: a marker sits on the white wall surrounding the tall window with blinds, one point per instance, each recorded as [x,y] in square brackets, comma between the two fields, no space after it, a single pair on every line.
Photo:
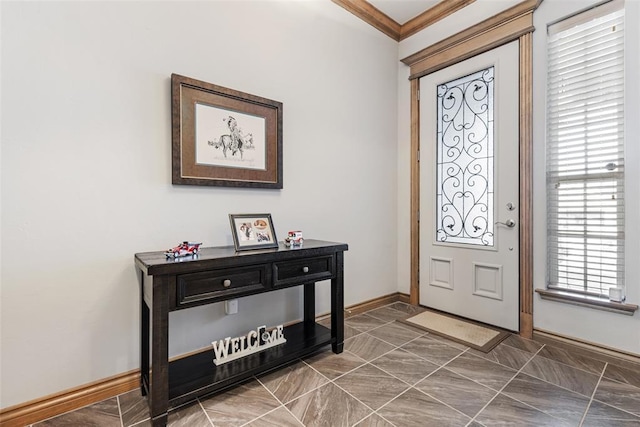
[607,329]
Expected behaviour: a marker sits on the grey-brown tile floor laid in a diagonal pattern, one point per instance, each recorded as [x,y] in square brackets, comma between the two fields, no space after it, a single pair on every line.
[393,375]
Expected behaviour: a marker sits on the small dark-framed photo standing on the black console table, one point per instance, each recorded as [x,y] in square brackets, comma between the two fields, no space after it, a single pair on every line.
[252,231]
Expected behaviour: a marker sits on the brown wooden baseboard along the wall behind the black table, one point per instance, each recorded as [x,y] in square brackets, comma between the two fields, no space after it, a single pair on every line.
[76,398]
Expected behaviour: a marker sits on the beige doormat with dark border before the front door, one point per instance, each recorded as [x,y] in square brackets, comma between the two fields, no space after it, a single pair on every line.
[474,335]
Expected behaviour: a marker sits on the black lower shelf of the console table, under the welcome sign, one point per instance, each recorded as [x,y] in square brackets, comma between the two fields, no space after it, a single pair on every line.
[197,375]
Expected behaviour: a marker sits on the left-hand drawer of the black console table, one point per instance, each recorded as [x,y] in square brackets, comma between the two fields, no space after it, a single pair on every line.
[217,285]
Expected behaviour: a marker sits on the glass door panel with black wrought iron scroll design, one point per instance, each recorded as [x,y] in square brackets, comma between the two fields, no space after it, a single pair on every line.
[464,169]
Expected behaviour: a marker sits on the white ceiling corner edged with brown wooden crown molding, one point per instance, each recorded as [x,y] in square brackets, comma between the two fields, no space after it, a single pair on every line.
[400,19]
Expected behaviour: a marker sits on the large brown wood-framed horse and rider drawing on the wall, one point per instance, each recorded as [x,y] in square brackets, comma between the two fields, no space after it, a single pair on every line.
[224,137]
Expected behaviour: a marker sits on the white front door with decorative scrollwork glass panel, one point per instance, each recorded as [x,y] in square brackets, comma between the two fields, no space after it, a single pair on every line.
[469,188]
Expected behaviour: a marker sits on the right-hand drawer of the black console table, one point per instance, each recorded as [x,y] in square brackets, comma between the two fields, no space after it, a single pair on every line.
[303,271]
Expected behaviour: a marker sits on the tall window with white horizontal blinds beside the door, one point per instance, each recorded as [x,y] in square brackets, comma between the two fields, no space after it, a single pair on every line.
[585,151]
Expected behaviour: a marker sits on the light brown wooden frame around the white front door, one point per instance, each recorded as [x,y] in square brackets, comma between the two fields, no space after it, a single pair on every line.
[515,23]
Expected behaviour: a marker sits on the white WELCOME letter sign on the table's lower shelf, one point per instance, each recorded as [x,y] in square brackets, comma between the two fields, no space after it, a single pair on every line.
[254,341]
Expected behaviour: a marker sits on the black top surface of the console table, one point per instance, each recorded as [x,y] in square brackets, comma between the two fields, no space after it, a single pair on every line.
[158,263]
